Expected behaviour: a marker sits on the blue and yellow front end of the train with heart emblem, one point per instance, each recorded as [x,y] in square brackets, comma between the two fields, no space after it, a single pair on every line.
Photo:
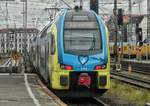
[83,55]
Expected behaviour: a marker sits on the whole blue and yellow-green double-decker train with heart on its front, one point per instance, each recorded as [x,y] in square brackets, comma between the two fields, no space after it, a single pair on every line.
[71,54]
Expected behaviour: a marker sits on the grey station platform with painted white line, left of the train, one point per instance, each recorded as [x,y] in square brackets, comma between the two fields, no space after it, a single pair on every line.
[23,90]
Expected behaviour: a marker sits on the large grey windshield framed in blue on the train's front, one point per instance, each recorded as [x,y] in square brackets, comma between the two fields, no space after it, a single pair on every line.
[81,35]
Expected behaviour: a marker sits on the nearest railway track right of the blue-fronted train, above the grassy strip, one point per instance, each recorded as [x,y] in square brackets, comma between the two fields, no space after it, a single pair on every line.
[131,79]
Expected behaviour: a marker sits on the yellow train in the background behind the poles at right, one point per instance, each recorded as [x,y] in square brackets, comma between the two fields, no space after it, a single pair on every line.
[132,50]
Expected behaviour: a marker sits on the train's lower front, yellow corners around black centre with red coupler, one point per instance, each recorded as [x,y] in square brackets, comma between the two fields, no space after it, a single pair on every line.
[80,84]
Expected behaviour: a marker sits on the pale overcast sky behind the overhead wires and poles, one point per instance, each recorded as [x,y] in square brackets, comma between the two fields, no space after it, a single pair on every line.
[38,17]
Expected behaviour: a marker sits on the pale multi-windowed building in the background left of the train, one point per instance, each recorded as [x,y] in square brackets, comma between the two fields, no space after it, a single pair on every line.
[14,39]
